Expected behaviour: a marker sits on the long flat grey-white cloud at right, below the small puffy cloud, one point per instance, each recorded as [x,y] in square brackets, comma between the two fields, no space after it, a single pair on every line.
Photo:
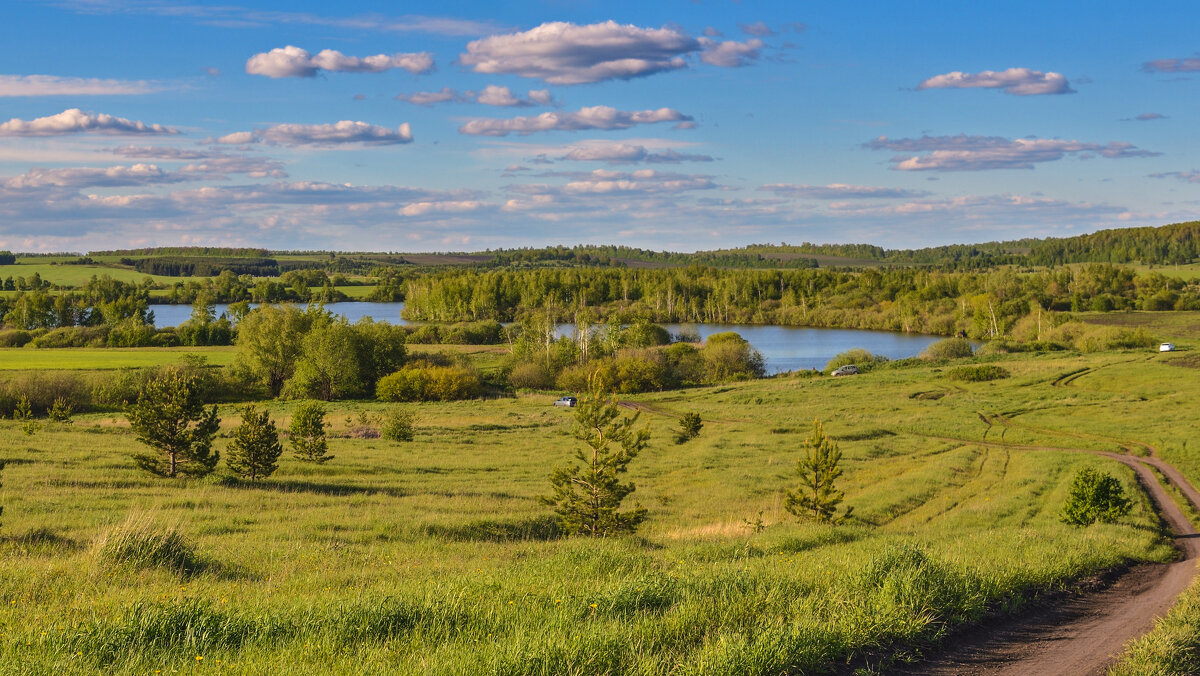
[979,153]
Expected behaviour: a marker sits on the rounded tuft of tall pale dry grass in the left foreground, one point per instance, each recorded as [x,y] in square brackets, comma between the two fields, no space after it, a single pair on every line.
[141,543]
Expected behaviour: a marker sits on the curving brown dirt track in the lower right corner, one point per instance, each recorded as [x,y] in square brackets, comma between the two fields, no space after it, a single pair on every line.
[1083,635]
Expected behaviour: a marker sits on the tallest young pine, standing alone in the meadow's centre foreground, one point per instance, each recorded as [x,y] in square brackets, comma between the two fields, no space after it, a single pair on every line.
[589,495]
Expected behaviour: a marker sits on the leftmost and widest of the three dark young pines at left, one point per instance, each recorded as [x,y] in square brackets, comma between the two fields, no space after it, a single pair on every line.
[170,417]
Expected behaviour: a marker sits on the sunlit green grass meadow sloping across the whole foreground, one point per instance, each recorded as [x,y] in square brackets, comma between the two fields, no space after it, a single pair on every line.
[436,557]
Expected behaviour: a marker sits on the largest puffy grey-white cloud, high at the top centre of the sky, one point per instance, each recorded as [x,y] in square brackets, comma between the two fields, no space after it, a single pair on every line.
[565,53]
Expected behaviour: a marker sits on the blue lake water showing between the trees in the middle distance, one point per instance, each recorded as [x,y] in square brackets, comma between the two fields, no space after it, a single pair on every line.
[784,349]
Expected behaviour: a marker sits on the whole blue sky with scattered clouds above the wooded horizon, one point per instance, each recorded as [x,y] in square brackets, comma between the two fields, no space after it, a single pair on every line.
[681,125]
